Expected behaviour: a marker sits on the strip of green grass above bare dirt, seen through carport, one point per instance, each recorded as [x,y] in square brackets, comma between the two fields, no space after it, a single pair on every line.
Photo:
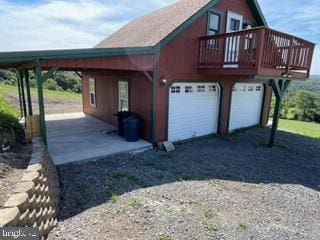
[56,95]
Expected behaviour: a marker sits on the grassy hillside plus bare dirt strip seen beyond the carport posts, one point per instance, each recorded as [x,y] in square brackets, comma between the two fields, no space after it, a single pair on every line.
[55,101]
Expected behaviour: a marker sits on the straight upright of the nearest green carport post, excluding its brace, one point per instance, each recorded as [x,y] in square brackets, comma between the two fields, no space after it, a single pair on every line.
[38,76]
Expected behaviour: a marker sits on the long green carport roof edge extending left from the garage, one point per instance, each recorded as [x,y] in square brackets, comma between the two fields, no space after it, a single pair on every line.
[17,59]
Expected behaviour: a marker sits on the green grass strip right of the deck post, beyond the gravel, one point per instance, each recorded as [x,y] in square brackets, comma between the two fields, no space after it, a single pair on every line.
[303,128]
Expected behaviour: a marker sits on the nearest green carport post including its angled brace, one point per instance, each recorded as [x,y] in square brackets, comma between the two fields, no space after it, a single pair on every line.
[40,81]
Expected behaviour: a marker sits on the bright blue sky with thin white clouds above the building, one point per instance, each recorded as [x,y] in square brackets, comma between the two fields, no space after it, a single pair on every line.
[48,24]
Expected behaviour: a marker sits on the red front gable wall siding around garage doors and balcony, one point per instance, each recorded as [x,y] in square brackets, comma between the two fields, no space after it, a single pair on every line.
[179,61]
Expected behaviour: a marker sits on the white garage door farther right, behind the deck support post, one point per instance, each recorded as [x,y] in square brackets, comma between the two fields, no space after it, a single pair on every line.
[246,105]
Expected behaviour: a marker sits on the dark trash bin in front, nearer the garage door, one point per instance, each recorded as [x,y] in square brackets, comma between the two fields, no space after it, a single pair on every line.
[132,126]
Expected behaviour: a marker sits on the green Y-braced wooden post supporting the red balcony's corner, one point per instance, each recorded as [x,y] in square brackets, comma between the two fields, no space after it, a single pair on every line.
[279,87]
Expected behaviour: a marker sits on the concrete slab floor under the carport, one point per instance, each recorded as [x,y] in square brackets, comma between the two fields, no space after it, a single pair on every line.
[76,137]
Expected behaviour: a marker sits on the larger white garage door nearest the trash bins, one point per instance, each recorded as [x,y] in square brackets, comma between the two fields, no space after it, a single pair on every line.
[193,110]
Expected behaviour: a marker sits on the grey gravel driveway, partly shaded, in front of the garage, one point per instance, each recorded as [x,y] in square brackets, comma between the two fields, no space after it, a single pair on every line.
[235,188]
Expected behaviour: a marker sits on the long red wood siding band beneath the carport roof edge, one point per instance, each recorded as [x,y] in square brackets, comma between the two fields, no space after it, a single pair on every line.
[134,63]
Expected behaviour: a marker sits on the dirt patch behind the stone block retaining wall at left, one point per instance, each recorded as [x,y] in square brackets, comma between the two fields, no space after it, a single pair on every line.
[12,165]
